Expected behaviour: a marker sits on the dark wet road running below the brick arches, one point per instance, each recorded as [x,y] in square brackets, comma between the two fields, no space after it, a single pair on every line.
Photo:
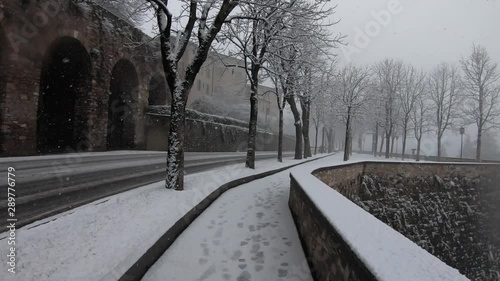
[48,185]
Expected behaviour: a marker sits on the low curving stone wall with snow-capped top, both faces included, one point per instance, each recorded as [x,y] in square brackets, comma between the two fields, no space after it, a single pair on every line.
[452,210]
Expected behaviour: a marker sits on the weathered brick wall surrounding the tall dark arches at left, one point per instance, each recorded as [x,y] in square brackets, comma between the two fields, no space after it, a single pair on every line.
[103,36]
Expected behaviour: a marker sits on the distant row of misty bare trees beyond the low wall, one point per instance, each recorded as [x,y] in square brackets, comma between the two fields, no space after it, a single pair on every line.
[392,99]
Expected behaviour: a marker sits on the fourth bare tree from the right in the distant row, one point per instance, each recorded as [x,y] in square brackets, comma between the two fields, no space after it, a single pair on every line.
[413,86]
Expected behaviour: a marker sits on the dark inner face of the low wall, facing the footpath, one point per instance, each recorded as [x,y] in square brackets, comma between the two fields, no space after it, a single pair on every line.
[328,255]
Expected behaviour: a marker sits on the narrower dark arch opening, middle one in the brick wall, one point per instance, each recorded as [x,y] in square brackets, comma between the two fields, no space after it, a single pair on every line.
[124,88]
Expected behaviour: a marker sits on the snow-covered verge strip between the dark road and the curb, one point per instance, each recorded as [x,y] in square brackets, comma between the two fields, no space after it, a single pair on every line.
[101,240]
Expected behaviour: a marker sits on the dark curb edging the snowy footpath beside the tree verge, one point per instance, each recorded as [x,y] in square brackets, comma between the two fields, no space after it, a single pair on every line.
[141,266]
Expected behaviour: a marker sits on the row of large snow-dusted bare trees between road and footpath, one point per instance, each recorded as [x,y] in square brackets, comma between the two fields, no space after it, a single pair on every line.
[283,41]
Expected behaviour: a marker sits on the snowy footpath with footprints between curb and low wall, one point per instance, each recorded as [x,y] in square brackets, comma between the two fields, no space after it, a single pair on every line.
[247,234]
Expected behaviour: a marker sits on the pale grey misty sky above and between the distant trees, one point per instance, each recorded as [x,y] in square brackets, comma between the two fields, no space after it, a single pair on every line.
[423,33]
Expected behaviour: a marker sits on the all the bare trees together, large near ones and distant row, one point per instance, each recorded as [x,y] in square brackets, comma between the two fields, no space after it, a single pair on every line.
[290,43]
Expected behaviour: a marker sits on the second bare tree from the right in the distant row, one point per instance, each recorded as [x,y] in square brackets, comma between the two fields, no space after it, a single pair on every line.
[445,94]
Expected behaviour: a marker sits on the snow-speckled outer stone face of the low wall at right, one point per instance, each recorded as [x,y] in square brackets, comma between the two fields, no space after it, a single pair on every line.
[451,210]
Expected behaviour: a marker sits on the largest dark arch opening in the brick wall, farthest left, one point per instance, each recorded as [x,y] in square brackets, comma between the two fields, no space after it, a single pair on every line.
[64,82]
